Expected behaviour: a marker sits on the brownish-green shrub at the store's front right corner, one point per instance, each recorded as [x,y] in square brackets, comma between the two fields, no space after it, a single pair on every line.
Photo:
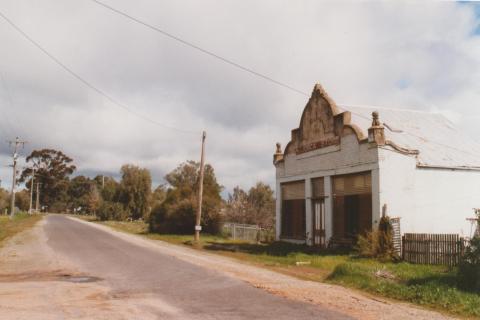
[378,243]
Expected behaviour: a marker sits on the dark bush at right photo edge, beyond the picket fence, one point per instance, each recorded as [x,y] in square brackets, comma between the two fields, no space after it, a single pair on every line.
[469,267]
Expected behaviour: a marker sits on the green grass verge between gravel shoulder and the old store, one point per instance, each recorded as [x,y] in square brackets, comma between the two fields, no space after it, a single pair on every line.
[434,287]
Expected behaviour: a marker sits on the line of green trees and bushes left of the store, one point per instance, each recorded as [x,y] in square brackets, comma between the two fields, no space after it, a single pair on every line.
[169,208]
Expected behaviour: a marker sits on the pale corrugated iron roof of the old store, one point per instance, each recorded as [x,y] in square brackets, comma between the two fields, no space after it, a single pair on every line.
[440,143]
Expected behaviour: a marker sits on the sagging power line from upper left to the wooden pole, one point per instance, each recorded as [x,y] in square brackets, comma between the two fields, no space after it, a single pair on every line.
[88,84]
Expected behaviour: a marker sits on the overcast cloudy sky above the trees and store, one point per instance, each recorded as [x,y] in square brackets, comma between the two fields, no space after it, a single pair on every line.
[421,55]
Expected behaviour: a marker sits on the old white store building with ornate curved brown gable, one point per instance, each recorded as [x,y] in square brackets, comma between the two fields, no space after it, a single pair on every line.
[344,165]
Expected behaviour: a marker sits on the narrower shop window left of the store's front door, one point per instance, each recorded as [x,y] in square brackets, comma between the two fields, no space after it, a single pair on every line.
[293,210]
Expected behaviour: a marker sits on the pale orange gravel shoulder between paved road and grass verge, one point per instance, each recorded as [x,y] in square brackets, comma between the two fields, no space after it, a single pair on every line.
[332,297]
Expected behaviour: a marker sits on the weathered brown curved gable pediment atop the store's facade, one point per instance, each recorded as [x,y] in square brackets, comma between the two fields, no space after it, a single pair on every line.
[321,124]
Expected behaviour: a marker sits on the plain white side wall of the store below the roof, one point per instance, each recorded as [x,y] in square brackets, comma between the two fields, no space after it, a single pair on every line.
[428,200]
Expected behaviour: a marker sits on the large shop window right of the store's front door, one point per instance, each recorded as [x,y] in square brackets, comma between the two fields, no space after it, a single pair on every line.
[352,205]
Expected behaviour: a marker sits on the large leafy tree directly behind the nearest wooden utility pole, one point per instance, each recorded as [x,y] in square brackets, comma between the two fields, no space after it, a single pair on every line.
[176,214]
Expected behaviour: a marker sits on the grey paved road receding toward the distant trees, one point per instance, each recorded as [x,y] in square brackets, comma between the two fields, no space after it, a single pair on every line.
[195,292]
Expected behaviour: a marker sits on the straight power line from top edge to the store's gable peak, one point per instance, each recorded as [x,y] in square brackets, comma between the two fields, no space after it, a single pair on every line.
[205,51]
